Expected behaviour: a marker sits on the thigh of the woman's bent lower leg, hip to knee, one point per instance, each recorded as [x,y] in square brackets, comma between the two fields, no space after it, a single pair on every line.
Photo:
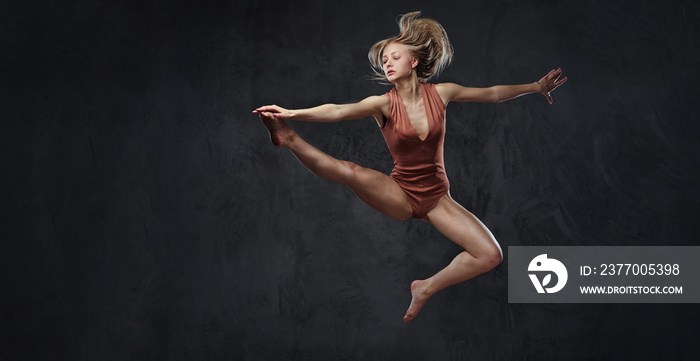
[463,228]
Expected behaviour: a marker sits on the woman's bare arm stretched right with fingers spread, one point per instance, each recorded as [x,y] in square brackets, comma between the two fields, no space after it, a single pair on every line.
[501,93]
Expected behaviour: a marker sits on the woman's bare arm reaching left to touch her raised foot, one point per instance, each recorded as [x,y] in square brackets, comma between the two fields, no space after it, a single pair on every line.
[373,105]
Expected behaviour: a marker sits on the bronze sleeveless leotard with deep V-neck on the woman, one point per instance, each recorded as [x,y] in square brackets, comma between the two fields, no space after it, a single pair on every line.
[418,164]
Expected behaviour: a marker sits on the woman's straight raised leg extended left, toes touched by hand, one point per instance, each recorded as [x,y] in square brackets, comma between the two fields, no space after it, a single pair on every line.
[374,188]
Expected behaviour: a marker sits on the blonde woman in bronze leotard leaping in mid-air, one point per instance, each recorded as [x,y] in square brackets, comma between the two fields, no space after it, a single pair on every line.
[412,119]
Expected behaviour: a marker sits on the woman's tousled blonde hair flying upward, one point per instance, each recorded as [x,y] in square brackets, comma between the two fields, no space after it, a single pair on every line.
[425,38]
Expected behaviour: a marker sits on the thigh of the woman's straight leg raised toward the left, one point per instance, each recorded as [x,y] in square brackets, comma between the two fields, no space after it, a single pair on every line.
[380,192]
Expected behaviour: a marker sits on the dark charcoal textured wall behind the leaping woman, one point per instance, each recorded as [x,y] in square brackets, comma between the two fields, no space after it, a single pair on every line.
[146,216]
